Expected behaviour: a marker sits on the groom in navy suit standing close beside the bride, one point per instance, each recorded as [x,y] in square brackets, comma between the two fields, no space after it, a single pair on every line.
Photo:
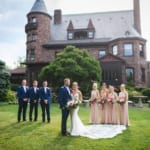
[64,96]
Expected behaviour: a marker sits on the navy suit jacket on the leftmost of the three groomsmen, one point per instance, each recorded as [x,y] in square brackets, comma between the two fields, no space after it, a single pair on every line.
[22,94]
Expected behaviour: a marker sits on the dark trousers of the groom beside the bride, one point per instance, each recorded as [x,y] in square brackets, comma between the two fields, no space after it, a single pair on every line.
[65,113]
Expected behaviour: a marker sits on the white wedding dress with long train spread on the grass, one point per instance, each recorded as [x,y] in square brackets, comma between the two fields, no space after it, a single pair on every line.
[92,131]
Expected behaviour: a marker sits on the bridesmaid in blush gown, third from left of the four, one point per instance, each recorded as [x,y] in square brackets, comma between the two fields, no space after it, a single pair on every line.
[112,106]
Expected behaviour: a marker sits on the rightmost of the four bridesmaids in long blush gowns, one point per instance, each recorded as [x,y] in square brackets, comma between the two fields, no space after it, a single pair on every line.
[123,100]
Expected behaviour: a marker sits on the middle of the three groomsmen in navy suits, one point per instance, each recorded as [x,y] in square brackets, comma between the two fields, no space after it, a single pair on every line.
[34,98]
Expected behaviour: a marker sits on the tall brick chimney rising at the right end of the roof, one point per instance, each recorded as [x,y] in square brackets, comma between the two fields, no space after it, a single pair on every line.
[137,19]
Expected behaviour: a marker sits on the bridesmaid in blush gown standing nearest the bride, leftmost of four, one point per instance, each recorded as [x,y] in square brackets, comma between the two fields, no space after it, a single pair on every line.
[94,113]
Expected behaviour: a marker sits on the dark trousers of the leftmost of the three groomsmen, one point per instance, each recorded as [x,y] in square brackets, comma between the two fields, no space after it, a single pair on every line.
[22,107]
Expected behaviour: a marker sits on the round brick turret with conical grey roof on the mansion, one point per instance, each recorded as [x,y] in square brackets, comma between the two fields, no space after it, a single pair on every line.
[38,34]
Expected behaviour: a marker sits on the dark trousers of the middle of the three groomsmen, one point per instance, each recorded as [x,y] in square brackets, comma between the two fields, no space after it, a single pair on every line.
[33,106]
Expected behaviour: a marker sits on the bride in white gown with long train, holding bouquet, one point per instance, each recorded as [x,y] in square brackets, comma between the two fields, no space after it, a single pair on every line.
[90,131]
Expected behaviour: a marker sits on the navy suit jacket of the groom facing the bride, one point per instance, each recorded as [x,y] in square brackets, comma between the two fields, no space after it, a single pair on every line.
[64,96]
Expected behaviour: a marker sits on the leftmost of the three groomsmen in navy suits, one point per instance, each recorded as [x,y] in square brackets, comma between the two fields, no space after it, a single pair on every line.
[22,94]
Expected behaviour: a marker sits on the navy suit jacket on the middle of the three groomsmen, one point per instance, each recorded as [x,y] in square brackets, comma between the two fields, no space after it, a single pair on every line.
[32,95]
